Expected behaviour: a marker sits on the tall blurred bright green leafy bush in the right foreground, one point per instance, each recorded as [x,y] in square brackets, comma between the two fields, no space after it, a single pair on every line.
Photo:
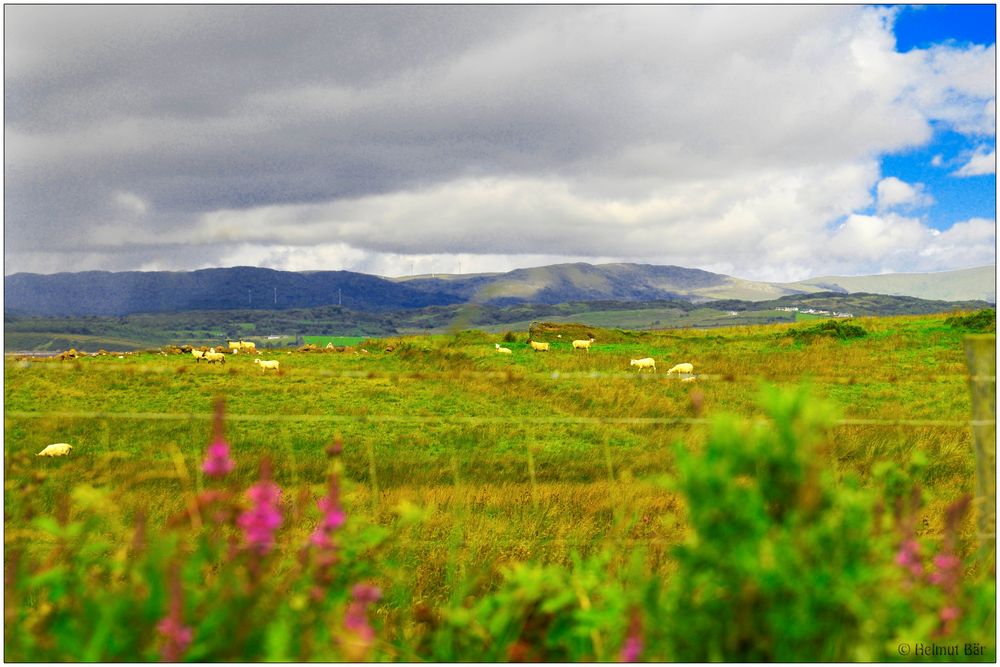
[788,561]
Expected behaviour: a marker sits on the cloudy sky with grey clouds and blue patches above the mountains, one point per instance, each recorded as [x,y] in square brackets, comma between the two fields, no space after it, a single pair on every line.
[765,142]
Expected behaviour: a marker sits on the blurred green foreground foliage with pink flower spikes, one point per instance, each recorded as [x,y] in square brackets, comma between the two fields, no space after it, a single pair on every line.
[785,560]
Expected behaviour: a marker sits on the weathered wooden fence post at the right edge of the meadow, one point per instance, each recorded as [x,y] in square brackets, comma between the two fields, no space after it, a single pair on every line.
[981,355]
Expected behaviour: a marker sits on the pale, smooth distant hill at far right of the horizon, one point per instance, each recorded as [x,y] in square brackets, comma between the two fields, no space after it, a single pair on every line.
[964,284]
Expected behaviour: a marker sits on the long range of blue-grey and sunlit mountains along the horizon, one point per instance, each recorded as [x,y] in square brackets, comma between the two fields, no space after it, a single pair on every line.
[124,293]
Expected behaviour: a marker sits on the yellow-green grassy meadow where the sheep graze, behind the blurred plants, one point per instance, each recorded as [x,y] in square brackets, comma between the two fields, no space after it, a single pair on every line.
[467,463]
